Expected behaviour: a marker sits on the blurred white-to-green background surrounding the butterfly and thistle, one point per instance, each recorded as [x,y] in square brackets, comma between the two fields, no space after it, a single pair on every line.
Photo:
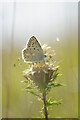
[48,22]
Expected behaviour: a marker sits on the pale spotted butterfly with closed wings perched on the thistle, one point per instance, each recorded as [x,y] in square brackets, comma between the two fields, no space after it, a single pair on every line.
[33,51]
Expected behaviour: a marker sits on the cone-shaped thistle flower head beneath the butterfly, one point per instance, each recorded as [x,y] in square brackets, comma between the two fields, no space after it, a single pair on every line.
[40,75]
